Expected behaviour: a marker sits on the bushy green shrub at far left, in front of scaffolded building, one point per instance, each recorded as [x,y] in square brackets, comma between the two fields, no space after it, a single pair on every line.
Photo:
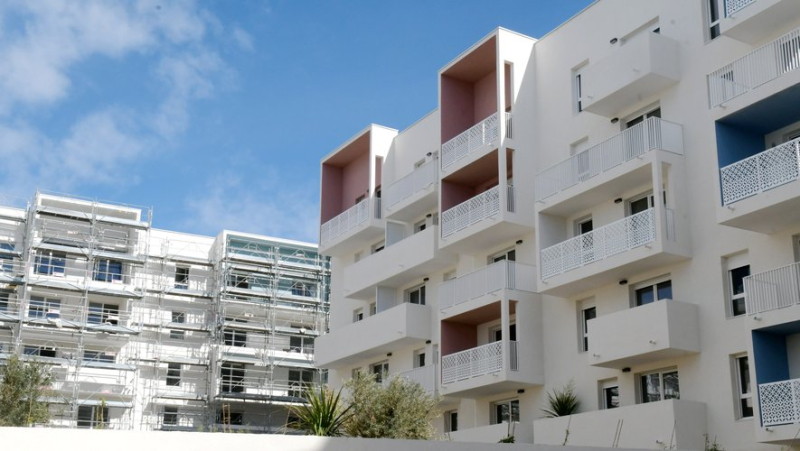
[24,390]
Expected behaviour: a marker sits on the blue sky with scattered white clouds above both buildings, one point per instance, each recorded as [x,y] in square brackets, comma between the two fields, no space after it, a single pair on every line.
[217,113]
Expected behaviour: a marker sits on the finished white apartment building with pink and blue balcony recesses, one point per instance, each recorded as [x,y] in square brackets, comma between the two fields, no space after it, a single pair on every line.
[615,204]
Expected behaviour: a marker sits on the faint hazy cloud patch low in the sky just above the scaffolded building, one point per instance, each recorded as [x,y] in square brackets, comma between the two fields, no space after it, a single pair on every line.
[275,205]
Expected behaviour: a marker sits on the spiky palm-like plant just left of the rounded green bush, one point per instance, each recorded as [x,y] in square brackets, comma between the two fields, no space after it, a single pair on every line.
[323,415]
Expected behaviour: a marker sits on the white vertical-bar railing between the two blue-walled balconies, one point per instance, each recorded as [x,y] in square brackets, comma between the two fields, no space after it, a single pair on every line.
[773,289]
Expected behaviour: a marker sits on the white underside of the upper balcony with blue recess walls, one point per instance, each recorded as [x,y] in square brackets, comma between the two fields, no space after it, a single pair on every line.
[767,212]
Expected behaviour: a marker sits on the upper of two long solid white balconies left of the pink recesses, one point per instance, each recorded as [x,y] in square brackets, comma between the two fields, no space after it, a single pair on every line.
[397,265]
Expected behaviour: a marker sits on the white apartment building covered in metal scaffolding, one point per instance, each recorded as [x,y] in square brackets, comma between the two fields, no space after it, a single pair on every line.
[149,329]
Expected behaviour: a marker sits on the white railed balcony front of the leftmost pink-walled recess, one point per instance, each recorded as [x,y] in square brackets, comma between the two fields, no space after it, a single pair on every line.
[359,217]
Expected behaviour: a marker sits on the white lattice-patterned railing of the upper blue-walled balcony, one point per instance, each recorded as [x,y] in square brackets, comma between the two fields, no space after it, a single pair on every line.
[761,172]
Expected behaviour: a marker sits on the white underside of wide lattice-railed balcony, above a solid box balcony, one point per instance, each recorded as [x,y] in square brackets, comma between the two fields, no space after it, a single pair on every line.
[613,269]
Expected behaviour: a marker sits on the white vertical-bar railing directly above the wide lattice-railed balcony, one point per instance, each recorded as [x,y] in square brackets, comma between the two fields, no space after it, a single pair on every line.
[653,133]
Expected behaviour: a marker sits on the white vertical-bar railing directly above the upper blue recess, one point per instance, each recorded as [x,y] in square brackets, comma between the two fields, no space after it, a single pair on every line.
[763,64]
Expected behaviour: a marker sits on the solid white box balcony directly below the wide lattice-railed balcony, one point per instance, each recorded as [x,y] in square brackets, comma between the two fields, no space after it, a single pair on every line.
[644,334]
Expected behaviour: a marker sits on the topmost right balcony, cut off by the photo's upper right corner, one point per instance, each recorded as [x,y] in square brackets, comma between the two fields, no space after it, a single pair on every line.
[750,20]
